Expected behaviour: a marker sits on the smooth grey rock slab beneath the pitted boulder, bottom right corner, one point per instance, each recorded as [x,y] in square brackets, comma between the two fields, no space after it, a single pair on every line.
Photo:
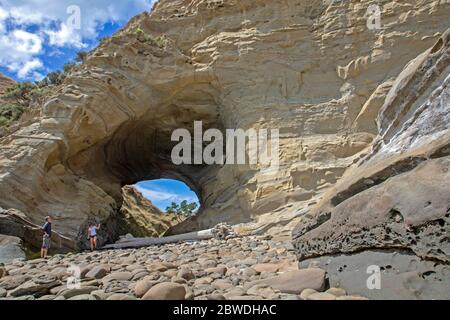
[402,274]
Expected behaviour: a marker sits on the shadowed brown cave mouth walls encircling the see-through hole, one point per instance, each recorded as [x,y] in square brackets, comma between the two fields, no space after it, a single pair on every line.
[140,149]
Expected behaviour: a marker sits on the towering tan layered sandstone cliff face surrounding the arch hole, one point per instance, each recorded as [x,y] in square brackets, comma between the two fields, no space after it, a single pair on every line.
[311,69]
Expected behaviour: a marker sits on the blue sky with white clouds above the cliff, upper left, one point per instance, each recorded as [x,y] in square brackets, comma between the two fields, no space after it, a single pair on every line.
[39,36]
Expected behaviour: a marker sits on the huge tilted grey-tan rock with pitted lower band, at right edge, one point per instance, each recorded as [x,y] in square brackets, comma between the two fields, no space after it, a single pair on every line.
[397,198]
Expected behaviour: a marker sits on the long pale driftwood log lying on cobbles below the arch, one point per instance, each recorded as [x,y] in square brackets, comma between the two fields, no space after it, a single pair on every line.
[220,231]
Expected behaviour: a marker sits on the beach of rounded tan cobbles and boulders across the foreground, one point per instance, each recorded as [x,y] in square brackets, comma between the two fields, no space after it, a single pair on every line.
[243,268]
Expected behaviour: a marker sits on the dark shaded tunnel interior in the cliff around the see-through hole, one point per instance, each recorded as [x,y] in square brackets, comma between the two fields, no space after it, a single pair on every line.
[141,150]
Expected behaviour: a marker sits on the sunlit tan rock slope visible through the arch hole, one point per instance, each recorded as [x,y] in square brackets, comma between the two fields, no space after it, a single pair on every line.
[141,218]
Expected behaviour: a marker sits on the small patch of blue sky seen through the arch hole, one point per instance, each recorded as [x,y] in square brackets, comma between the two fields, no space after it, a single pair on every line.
[163,192]
